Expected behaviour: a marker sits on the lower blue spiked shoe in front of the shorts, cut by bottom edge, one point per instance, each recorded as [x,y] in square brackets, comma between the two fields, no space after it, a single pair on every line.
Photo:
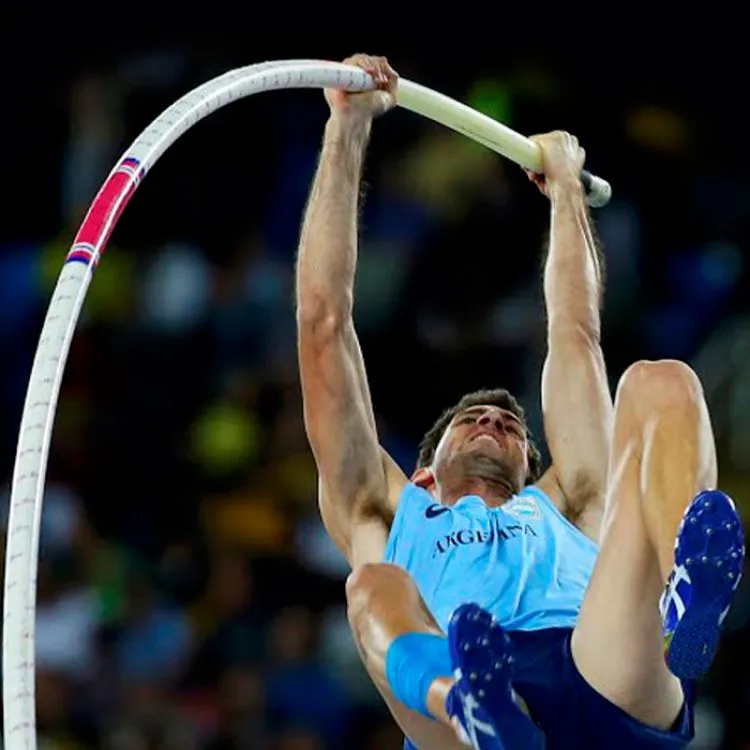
[482,703]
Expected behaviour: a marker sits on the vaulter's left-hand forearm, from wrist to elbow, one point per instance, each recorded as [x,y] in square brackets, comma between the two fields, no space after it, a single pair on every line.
[328,245]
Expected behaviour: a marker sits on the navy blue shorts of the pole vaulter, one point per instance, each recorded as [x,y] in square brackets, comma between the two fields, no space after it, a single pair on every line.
[571,713]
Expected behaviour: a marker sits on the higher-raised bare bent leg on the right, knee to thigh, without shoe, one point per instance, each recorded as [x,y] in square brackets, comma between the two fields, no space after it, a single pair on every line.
[662,455]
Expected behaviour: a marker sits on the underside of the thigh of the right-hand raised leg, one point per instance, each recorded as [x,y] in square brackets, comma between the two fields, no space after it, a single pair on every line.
[617,644]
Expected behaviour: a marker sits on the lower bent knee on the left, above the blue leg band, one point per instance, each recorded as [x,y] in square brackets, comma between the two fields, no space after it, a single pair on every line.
[370,586]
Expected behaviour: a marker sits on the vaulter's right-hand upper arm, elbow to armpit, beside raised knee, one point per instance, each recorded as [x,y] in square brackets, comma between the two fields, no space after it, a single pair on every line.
[577,408]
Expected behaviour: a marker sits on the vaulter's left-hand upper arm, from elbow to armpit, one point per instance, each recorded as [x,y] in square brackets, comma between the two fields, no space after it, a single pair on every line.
[359,484]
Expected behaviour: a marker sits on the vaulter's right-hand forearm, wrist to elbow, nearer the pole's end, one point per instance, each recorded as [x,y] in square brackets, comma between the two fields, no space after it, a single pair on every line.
[573,272]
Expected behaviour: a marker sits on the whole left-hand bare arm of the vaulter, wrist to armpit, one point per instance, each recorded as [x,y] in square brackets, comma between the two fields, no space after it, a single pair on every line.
[337,410]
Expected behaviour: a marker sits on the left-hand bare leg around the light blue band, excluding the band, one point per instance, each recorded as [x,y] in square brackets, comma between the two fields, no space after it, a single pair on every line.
[384,603]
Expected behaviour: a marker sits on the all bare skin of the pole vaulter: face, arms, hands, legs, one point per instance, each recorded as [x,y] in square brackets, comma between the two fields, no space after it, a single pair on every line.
[483,450]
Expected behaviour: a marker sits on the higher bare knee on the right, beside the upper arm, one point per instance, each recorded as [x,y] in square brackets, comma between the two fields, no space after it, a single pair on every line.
[652,386]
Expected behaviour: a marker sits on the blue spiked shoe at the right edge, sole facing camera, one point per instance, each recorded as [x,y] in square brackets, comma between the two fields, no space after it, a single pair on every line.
[709,557]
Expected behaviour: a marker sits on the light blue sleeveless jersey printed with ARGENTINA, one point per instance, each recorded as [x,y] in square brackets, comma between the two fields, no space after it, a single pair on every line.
[524,562]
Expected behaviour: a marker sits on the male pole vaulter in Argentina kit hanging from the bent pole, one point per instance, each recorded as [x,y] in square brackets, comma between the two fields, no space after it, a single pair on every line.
[481,581]
